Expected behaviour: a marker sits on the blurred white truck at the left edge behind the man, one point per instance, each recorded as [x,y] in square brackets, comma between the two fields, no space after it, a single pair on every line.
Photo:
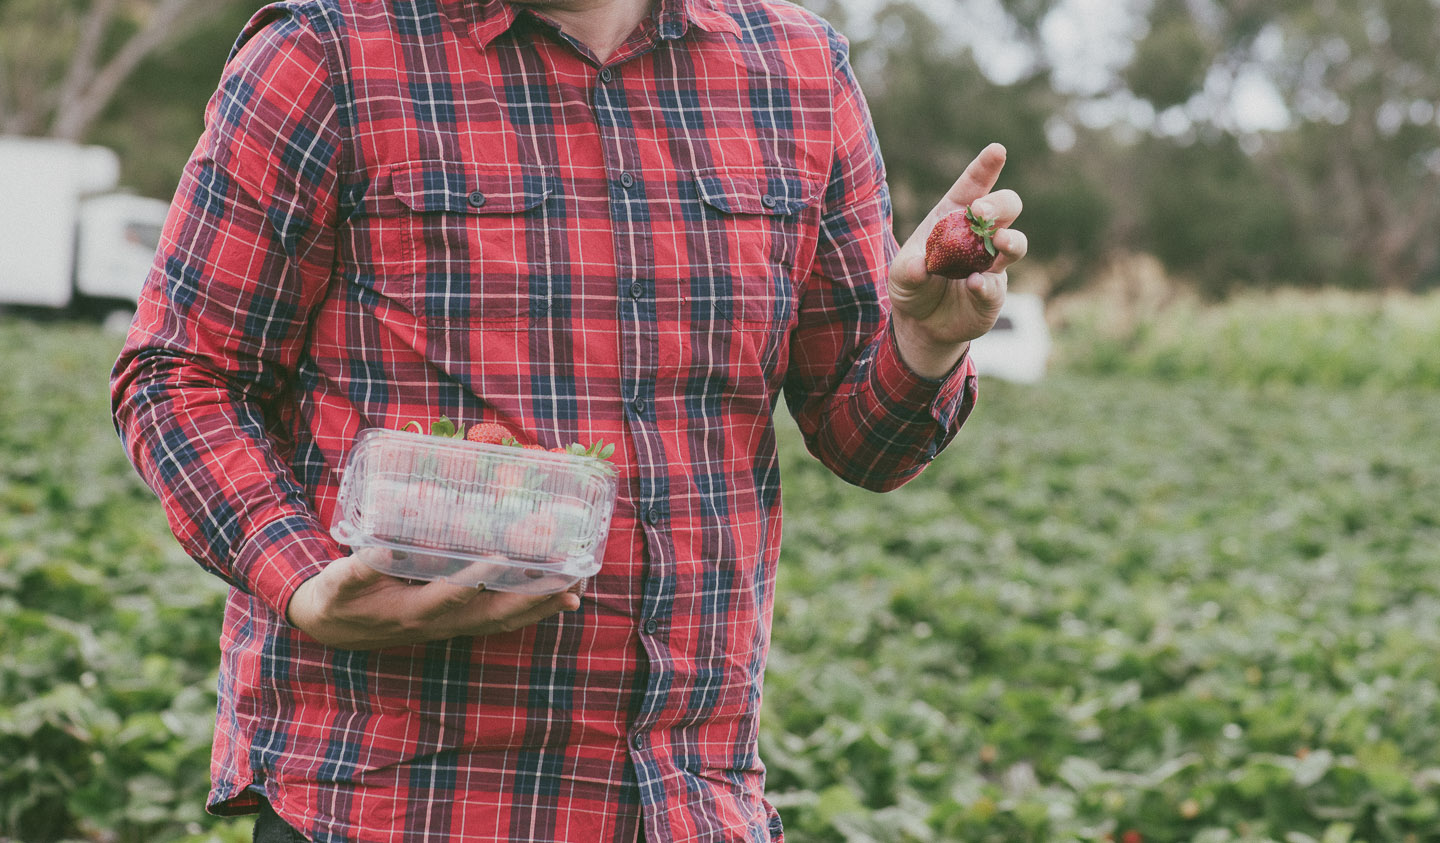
[68,240]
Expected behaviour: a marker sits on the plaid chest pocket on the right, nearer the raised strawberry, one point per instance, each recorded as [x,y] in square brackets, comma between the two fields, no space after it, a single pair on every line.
[751,240]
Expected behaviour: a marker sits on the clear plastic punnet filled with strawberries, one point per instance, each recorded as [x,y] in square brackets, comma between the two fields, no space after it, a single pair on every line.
[506,518]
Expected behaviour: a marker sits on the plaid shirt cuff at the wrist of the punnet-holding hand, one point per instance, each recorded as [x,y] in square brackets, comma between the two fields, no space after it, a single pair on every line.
[282,556]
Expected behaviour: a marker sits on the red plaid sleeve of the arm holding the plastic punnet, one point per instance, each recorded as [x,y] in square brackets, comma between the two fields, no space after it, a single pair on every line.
[199,388]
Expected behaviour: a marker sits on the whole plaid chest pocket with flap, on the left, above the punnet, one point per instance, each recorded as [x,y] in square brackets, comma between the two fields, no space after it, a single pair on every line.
[467,237]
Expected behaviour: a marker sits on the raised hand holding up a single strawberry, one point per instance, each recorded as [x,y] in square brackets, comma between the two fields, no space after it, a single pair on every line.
[937,318]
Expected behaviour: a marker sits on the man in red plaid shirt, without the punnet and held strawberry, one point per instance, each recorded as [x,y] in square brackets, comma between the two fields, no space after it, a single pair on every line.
[585,220]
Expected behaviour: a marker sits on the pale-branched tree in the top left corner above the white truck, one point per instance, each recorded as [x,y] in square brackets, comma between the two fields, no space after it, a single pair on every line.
[64,61]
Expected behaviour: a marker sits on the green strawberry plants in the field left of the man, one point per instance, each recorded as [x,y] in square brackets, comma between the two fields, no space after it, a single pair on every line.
[109,639]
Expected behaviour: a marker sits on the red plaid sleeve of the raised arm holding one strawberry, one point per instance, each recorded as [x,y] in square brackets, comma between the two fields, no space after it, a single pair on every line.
[862,410]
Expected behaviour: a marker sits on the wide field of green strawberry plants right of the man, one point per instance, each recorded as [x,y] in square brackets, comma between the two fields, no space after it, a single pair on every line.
[1200,610]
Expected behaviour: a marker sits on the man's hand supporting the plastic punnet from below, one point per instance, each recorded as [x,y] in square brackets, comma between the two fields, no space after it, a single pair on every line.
[355,607]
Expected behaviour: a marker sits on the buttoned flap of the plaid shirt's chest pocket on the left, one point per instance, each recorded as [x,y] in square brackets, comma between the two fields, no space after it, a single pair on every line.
[472,188]
